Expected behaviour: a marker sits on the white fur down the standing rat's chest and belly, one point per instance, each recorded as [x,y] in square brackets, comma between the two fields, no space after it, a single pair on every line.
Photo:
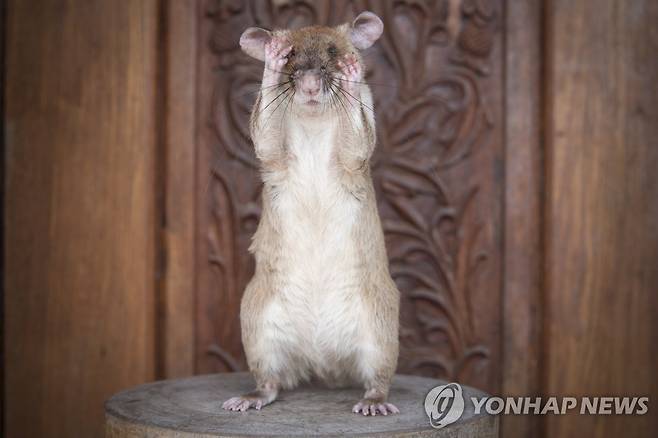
[317,312]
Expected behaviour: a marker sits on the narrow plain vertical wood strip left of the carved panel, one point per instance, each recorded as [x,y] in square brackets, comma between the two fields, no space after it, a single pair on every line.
[179,285]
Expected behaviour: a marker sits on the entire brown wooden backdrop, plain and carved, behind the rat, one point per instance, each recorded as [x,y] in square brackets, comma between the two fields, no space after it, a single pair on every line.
[516,171]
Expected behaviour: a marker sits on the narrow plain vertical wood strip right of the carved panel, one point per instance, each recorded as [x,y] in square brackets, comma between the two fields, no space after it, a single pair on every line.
[523,212]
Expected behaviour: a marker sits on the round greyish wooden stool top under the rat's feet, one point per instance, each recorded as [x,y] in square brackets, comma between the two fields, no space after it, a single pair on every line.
[191,408]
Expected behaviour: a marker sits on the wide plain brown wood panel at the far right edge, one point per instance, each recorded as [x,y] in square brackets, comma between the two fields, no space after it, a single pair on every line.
[602,210]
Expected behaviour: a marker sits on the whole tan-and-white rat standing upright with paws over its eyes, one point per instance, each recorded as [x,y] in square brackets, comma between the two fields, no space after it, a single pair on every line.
[321,304]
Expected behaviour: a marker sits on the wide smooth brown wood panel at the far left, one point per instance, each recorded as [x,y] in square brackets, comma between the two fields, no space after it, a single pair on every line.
[80,220]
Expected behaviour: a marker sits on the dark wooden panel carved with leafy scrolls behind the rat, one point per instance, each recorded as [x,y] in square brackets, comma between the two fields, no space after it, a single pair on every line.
[436,75]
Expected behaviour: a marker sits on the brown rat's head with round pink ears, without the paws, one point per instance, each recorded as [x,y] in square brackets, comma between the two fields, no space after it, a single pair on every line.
[312,66]
